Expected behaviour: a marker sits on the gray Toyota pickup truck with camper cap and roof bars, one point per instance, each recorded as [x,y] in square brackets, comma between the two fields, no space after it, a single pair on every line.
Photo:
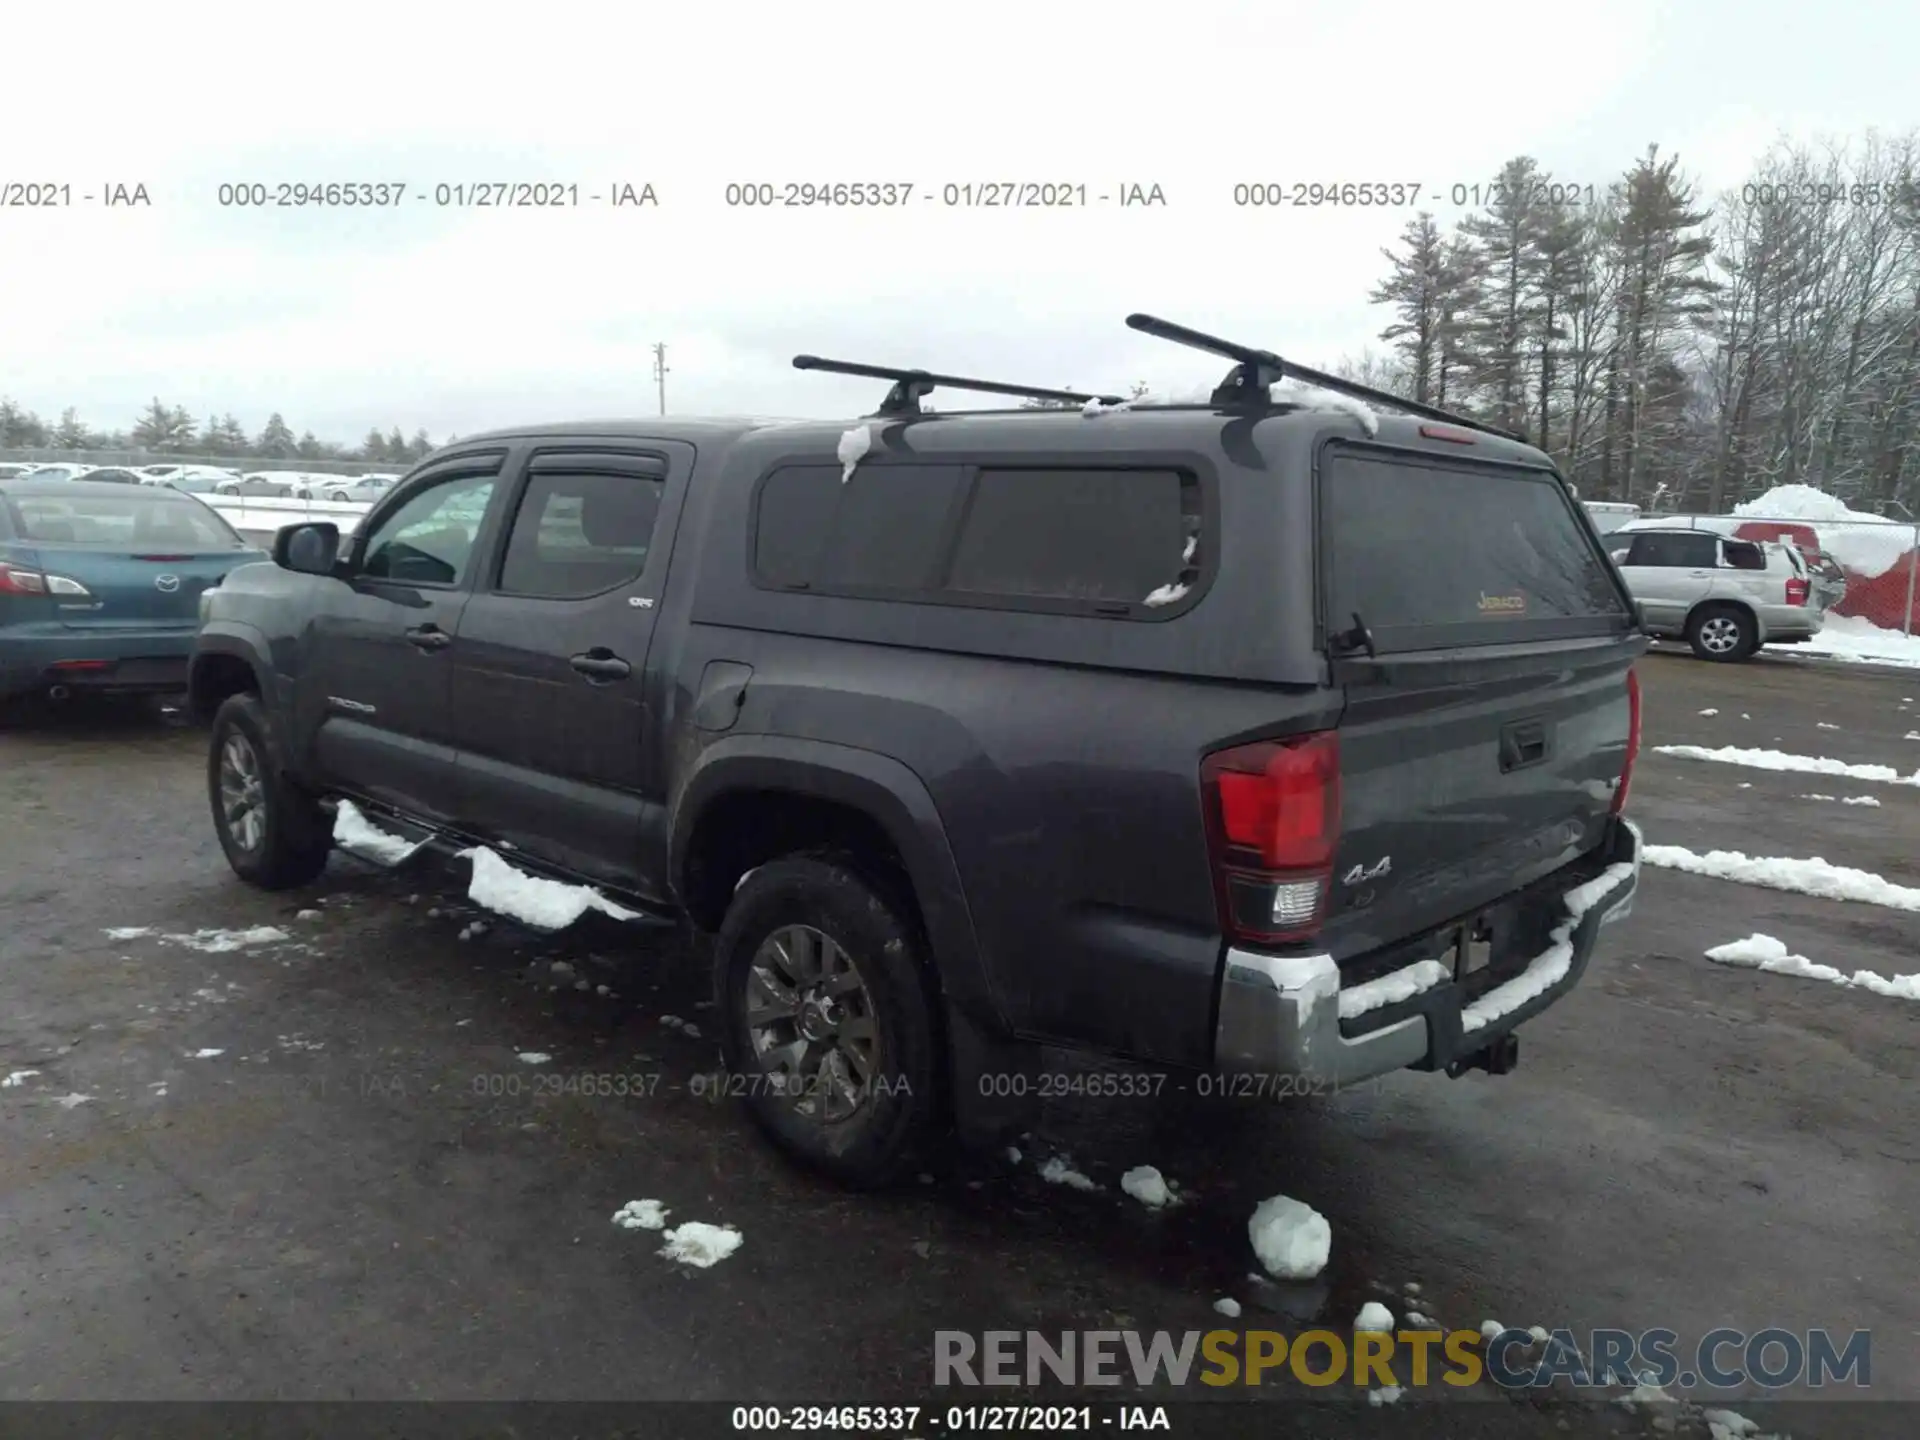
[1147,731]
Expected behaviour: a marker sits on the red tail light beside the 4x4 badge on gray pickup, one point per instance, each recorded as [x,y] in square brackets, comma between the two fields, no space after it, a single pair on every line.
[1274,823]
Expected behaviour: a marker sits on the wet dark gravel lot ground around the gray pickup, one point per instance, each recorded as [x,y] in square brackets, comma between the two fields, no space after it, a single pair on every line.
[318,1163]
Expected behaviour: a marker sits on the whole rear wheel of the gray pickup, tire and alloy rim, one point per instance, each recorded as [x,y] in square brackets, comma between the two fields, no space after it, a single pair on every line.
[828,1019]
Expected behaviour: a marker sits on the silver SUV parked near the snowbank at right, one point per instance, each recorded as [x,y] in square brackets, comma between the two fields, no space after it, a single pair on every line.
[1721,596]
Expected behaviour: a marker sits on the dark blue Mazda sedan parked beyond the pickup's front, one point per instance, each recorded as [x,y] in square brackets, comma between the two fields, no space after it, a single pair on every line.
[101,585]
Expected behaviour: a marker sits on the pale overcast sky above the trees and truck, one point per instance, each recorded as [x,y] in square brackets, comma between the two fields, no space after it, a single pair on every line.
[460,320]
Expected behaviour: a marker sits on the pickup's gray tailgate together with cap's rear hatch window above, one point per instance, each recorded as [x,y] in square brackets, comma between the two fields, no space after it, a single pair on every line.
[1483,738]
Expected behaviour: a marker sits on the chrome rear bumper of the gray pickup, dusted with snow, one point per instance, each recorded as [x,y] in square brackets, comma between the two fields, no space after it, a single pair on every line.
[1282,1015]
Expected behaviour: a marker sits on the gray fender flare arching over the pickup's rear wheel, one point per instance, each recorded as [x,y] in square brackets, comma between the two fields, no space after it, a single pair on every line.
[886,792]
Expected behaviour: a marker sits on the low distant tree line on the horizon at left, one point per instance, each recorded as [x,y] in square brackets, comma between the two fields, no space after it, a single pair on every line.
[174,431]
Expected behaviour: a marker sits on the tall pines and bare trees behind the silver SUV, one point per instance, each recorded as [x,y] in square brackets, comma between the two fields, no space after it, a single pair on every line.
[1677,350]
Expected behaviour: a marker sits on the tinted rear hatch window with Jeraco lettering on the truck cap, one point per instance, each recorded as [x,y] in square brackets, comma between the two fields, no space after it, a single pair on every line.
[1433,556]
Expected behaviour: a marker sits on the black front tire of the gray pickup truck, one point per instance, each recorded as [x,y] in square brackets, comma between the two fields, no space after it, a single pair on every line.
[293,840]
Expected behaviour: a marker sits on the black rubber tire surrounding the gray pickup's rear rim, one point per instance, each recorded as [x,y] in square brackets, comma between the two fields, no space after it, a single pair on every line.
[901,1107]
